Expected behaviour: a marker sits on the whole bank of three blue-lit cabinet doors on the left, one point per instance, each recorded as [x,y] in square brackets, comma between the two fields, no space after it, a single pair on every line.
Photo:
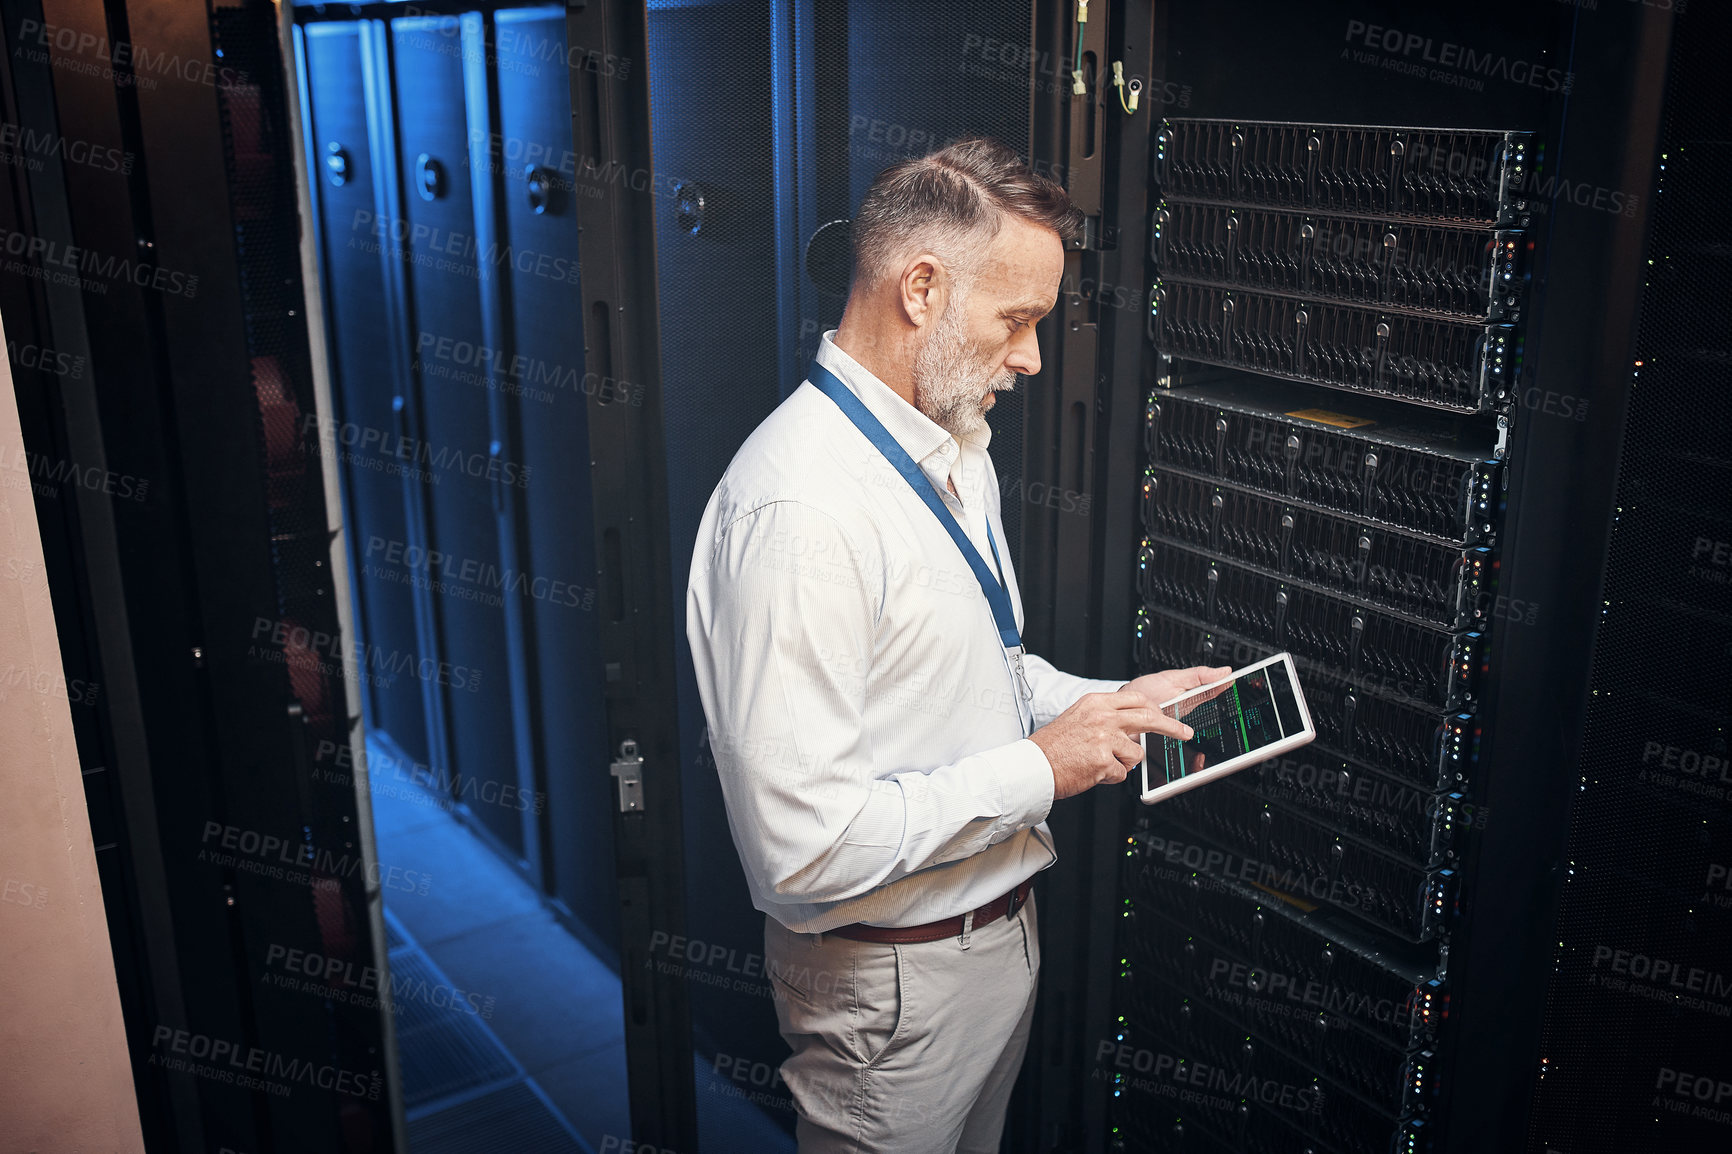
[446,186]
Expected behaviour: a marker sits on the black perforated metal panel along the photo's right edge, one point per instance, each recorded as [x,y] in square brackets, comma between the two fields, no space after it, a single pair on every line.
[1634,1054]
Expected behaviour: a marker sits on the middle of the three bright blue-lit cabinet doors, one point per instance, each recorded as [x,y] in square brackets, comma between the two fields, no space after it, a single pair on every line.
[451,424]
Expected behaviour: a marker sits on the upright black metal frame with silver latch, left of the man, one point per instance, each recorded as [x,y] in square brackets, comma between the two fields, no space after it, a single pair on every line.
[611,126]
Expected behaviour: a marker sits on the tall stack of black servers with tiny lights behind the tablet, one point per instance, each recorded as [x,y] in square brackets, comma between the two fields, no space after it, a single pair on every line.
[1336,318]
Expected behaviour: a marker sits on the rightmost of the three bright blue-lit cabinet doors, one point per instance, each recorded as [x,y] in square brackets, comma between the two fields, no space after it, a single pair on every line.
[548,394]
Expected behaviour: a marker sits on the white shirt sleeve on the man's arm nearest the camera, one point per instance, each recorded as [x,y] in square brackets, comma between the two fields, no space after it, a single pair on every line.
[782,619]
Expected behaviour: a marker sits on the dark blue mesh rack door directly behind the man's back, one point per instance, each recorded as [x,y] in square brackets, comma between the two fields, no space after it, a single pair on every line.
[714,204]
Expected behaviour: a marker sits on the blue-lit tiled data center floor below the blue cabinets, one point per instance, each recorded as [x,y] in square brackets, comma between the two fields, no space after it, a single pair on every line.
[531,1054]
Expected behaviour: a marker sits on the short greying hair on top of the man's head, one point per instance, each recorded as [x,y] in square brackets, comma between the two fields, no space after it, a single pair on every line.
[952,204]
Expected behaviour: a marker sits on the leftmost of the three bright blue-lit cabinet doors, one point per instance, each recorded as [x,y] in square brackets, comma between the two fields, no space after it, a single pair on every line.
[366,387]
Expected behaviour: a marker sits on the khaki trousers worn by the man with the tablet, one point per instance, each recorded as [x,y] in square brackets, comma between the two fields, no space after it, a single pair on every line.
[905,1049]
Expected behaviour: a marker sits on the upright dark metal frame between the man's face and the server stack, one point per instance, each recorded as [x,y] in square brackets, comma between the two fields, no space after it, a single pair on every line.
[1071,588]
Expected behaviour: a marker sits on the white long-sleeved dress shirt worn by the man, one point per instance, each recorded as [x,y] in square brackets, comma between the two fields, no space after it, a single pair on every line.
[862,710]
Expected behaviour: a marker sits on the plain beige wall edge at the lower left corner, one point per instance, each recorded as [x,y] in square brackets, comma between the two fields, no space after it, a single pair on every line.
[65,1077]
